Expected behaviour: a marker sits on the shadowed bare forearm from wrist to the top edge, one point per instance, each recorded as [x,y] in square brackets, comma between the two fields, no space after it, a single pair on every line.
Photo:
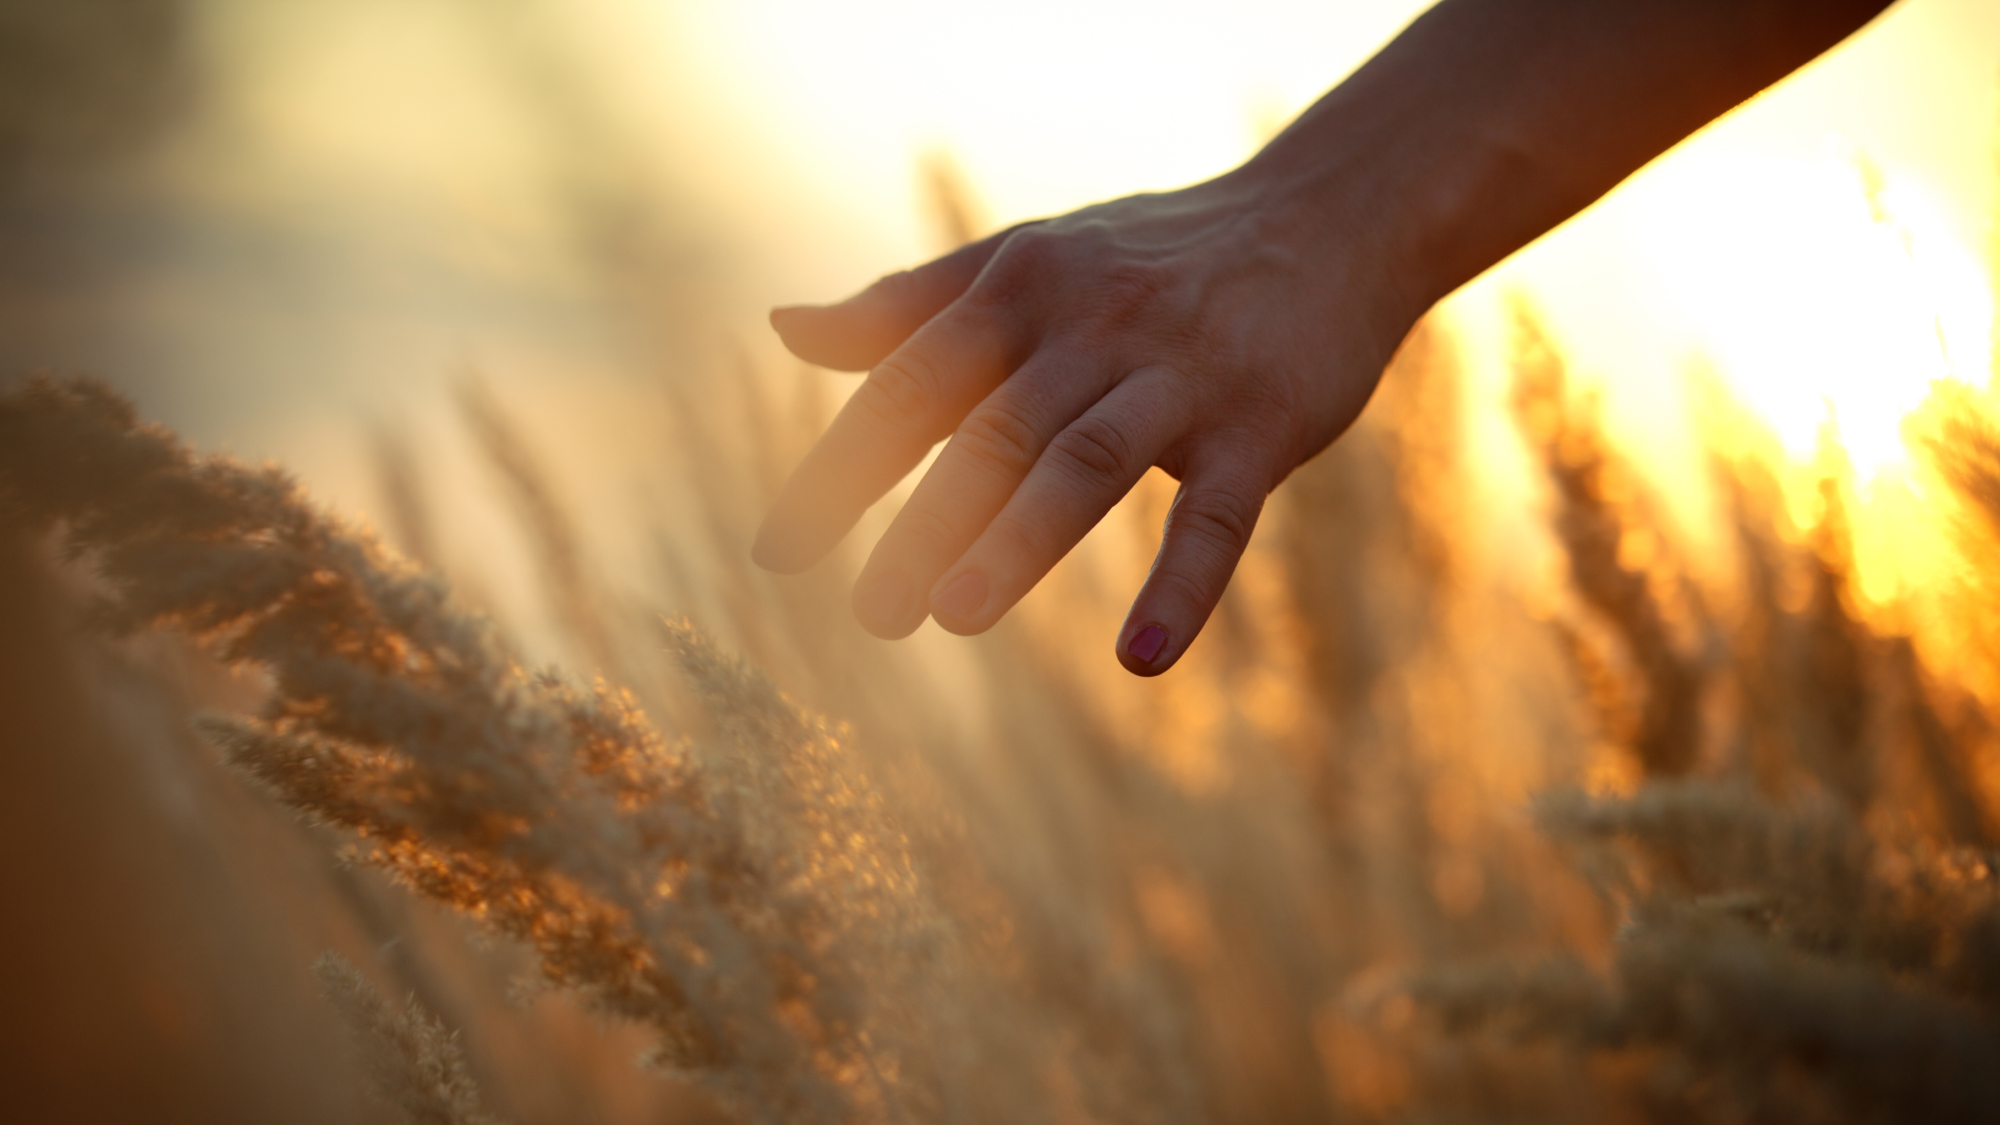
[1489,123]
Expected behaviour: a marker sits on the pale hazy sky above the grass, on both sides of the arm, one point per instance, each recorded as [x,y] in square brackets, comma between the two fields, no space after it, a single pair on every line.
[287,227]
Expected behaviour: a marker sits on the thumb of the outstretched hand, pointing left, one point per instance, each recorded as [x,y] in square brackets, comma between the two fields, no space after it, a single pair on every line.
[865,329]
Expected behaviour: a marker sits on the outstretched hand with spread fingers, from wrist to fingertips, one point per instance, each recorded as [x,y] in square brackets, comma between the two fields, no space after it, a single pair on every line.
[1225,333]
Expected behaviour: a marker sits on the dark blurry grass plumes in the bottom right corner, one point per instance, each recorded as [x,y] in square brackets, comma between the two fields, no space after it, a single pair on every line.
[1771,940]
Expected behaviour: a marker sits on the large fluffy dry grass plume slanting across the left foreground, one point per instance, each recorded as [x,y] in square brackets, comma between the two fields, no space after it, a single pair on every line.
[717,904]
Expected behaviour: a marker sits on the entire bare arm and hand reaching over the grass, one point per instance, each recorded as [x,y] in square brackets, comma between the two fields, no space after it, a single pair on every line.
[1231,331]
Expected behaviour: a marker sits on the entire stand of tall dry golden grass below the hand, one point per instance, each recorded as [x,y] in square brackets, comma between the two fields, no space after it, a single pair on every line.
[1677,840]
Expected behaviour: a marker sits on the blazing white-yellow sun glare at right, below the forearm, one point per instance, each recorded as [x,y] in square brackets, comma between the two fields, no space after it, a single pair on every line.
[1823,293]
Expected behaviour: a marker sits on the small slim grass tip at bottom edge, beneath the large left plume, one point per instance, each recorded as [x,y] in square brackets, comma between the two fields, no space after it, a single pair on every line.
[413,1060]
